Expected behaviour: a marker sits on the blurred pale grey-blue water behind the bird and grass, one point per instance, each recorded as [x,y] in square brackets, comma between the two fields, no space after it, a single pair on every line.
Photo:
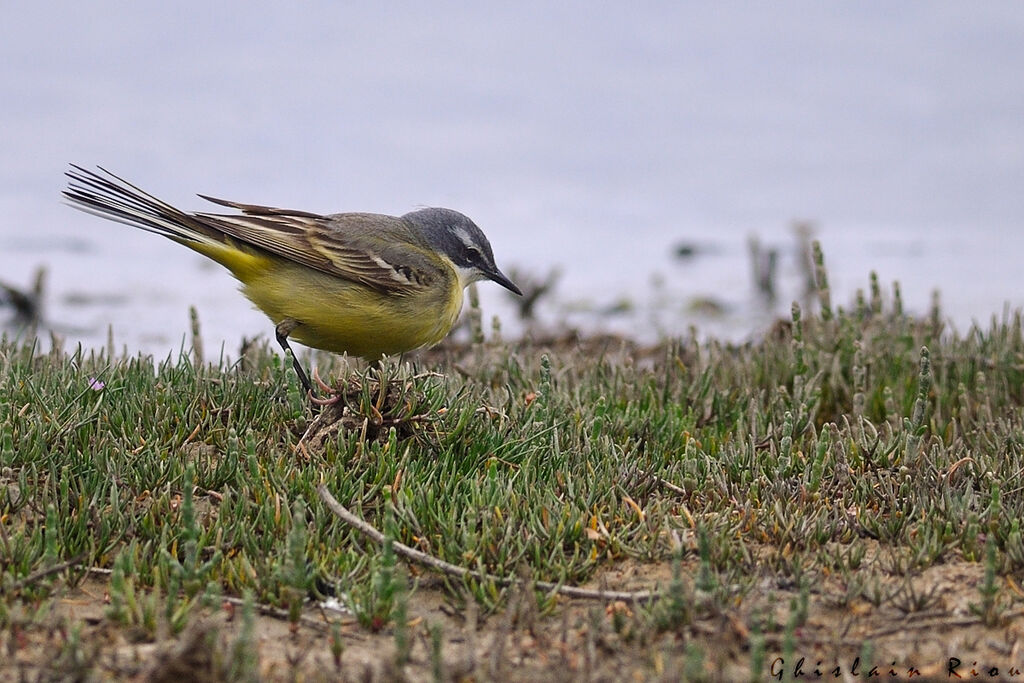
[601,141]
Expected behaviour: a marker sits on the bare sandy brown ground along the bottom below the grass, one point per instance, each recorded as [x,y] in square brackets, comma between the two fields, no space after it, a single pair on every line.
[919,632]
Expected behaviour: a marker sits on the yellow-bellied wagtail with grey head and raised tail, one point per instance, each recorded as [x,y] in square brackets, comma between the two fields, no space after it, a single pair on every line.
[364,284]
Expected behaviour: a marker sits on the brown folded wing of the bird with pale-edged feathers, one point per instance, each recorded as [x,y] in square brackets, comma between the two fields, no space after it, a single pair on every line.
[375,250]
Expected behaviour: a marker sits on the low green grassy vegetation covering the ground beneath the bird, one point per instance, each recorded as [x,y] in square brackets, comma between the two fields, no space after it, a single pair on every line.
[848,487]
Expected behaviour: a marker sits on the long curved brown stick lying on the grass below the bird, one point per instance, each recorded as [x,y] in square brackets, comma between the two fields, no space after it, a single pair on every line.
[456,571]
